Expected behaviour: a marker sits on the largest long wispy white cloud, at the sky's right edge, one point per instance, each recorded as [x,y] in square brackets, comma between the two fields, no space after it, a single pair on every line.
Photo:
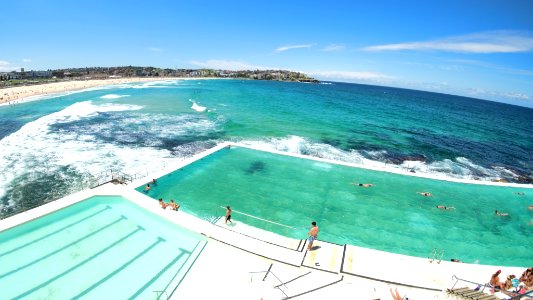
[483,42]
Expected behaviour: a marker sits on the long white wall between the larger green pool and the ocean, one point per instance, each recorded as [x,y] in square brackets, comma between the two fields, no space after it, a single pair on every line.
[394,171]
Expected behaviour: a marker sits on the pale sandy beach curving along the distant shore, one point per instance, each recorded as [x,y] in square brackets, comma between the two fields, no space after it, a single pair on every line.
[13,95]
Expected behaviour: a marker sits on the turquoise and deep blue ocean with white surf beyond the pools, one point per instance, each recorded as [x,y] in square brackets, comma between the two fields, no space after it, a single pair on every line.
[53,146]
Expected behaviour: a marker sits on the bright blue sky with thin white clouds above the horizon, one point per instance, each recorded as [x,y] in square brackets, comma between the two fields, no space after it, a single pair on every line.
[481,49]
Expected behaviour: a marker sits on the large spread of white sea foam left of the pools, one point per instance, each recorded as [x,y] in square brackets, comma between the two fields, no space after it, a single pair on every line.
[36,149]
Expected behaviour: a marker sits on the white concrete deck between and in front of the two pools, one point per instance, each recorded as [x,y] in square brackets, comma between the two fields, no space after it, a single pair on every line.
[226,267]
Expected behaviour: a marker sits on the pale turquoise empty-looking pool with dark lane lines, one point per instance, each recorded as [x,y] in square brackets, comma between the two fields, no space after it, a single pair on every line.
[104,247]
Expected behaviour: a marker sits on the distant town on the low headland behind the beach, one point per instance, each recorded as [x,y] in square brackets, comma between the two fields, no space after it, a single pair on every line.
[24,77]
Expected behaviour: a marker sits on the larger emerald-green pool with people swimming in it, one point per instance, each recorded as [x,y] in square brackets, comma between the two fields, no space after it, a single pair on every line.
[389,216]
